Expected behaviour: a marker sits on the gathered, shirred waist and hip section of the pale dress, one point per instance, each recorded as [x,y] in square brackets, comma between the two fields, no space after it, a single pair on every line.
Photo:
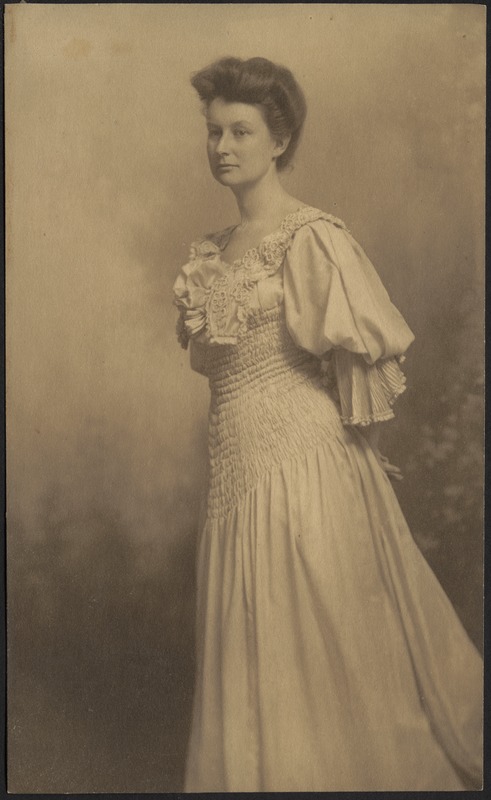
[268,404]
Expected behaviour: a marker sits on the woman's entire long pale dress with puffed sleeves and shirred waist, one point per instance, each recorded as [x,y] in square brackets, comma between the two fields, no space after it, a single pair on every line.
[328,656]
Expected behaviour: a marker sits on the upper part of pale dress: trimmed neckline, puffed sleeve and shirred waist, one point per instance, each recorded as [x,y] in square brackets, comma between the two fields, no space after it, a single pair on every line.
[258,329]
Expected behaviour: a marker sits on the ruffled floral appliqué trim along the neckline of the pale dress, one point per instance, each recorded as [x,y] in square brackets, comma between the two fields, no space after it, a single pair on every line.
[215,297]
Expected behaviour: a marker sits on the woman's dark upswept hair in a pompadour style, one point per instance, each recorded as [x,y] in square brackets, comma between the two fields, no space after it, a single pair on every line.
[258,81]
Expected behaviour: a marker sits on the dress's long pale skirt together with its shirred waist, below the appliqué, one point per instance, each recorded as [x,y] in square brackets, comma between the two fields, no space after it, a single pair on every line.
[329,657]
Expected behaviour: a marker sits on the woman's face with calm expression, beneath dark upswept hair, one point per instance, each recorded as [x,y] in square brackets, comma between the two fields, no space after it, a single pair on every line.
[240,147]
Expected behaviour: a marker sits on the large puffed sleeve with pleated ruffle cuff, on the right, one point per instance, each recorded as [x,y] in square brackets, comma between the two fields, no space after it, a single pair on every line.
[335,301]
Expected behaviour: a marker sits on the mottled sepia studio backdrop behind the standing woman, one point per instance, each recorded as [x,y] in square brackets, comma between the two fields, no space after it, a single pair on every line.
[107,183]
